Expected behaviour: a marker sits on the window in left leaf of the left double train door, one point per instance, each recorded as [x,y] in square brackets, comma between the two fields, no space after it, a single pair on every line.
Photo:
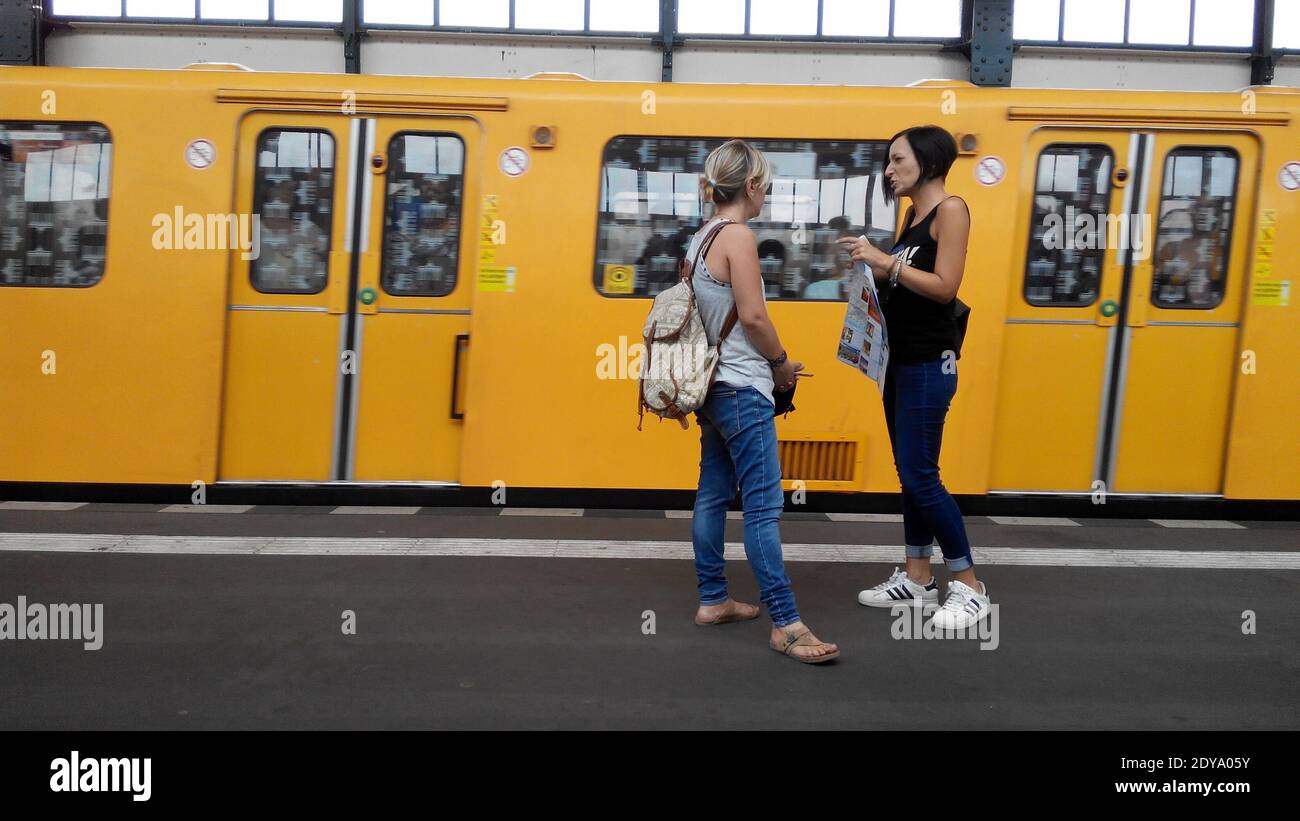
[293,198]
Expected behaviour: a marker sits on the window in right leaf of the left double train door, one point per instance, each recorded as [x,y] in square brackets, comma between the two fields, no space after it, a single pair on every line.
[422,218]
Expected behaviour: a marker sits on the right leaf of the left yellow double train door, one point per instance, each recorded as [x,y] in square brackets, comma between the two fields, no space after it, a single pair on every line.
[413,325]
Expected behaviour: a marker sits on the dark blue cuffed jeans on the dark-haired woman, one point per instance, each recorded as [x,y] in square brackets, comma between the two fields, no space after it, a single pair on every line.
[917,399]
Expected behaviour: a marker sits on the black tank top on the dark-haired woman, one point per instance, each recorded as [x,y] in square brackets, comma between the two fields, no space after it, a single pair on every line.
[920,328]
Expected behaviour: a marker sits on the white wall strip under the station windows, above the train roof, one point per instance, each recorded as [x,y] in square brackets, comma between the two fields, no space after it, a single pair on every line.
[618,59]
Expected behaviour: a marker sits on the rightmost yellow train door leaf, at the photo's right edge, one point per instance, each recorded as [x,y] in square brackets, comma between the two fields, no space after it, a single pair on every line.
[1177,357]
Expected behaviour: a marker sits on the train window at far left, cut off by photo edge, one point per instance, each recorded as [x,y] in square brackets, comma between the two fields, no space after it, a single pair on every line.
[54,203]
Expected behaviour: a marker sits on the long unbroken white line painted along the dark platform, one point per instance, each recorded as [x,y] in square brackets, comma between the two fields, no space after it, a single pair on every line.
[584,549]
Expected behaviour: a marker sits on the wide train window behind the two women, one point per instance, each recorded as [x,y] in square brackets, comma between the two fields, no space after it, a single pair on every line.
[651,207]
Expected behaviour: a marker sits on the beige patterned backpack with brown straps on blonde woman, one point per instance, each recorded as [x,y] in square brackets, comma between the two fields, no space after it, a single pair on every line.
[681,362]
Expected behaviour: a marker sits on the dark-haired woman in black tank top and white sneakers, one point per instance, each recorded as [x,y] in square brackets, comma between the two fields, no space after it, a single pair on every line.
[918,284]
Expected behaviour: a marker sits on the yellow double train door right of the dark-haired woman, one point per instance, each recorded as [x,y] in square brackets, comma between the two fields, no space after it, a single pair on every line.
[1119,357]
